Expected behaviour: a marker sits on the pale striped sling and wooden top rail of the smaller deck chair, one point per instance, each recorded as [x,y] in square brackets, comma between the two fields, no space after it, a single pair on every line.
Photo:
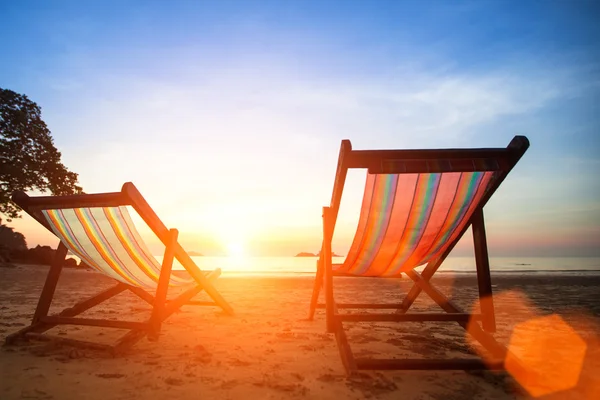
[99,230]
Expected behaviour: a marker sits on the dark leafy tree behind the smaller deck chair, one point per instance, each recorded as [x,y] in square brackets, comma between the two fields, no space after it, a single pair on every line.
[28,158]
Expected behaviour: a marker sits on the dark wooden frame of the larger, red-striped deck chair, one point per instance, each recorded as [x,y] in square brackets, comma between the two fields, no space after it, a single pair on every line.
[418,161]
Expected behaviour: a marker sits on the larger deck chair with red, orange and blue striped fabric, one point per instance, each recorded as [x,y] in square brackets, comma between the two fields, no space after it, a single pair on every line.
[417,205]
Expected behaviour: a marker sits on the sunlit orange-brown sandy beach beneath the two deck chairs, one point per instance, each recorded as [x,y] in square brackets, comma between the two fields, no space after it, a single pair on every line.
[268,350]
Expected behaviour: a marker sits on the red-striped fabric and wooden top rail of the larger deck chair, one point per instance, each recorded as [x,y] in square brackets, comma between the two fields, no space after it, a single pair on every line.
[417,203]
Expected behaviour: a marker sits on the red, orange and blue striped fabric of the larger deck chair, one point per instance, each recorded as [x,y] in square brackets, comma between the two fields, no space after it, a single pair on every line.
[407,220]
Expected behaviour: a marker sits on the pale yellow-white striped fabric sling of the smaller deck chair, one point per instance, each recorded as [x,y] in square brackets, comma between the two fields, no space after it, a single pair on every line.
[106,239]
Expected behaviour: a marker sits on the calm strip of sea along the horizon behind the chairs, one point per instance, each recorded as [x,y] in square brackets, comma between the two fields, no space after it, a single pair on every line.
[306,266]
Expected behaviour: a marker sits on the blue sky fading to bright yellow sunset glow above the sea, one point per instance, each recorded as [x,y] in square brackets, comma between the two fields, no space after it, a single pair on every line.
[228,115]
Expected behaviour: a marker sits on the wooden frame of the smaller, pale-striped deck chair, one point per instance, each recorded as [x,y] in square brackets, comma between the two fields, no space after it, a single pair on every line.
[162,308]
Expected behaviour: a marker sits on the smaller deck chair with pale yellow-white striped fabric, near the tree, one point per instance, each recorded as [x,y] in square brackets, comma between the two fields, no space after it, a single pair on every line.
[98,229]
